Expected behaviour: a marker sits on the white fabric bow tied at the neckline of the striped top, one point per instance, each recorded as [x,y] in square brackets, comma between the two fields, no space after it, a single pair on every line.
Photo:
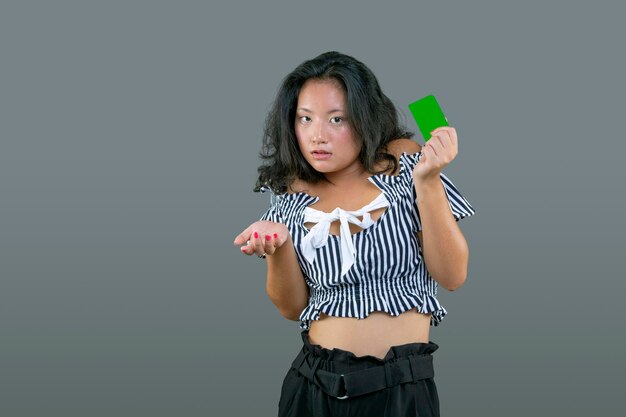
[318,235]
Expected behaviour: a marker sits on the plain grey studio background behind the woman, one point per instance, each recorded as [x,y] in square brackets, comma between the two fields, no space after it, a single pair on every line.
[128,153]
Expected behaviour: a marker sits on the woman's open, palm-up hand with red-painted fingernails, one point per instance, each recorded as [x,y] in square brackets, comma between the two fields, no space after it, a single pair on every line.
[262,237]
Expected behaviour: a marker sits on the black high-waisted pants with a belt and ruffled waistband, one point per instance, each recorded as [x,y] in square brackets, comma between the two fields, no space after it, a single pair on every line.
[302,397]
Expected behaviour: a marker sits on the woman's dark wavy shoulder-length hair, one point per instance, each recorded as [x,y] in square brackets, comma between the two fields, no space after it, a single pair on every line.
[372,115]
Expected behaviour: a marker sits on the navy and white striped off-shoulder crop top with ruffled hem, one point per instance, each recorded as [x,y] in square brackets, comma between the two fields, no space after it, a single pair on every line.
[379,268]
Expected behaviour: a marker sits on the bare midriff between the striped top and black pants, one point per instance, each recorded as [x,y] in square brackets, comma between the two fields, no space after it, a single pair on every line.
[373,335]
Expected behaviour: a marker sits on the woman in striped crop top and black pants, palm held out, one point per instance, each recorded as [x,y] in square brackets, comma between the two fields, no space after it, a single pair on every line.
[357,238]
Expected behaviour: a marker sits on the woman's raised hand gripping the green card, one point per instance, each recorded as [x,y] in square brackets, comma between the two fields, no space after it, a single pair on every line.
[438,152]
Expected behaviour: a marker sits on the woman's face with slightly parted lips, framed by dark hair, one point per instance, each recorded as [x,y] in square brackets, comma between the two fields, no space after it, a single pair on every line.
[324,134]
